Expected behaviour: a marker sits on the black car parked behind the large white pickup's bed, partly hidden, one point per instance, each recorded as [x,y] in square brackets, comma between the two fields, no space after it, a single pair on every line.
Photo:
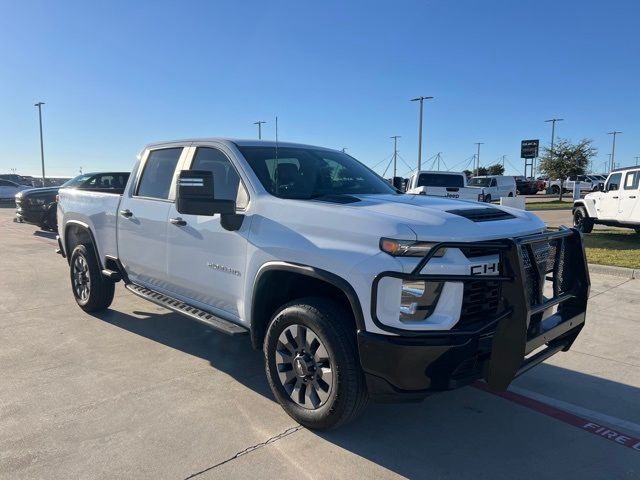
[39,205]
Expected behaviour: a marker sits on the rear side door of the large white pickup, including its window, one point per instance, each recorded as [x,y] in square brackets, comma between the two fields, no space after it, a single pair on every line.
[143,217]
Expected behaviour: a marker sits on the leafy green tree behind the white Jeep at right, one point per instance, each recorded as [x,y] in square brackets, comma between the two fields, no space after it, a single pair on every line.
[567,159]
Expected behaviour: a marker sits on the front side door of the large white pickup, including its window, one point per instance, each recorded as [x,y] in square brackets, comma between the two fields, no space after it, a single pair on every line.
[207,263]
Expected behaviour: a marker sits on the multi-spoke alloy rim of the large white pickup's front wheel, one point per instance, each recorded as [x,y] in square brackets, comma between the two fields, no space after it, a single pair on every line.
[304,366]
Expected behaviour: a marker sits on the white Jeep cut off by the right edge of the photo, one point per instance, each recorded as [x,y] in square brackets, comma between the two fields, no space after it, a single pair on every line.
[617,205]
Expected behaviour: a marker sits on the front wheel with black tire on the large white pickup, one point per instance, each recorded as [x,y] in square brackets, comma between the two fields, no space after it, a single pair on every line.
[332,325]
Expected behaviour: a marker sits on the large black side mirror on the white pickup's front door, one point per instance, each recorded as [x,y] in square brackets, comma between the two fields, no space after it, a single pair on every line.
[195,195]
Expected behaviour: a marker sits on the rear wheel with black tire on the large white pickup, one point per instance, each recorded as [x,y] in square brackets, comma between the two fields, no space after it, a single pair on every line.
[91,290]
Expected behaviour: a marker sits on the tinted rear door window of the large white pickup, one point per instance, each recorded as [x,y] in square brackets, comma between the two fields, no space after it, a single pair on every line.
[157,175]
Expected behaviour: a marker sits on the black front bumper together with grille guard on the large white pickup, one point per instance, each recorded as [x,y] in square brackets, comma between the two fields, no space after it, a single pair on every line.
[545,287]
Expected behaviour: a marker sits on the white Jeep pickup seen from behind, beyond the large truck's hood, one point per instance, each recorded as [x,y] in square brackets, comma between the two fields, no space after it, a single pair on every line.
[443,184]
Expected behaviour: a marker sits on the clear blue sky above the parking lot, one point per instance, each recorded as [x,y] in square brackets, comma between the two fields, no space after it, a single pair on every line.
[117,75]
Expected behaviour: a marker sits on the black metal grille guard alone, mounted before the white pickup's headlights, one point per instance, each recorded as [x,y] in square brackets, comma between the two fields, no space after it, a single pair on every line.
[527,319]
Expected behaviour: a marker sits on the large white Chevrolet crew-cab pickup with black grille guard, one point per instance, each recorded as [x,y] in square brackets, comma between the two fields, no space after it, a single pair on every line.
[351,289]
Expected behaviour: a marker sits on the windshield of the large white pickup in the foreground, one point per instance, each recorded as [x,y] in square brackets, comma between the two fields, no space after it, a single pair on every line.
[306,173]
